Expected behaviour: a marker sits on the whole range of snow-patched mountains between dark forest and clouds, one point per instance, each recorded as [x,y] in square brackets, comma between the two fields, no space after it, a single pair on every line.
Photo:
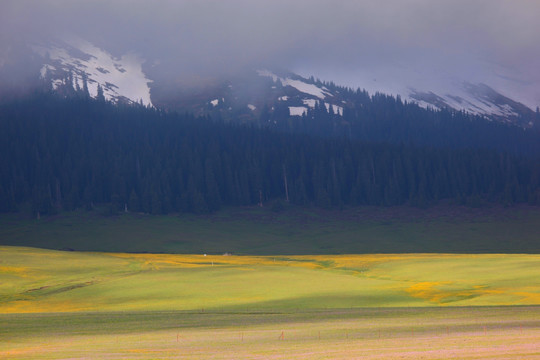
[246,95]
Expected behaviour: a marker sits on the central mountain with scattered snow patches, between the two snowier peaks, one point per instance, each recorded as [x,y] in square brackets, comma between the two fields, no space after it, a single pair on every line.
[246,96]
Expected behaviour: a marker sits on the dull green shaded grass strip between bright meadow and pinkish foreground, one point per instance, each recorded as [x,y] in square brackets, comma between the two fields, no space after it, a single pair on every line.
[392,319]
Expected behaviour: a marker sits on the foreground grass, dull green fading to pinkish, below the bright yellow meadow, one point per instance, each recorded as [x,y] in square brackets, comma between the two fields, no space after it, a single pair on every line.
[420,333]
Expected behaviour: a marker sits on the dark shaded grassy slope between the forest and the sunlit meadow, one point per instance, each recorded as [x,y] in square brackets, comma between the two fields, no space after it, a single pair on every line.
[294,231]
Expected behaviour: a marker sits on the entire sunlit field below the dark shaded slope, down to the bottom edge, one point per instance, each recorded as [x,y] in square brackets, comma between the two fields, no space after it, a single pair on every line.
[74,305]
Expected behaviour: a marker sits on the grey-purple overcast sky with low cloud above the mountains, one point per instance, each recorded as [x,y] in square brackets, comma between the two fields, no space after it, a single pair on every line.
[351,42]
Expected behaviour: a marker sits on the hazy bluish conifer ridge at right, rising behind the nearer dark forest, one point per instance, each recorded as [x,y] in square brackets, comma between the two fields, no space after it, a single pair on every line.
[385,118]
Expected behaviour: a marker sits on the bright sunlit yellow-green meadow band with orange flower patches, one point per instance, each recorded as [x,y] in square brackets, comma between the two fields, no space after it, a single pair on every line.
[33,280]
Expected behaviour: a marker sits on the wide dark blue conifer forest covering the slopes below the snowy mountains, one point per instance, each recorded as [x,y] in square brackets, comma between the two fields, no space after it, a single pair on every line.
[63,153]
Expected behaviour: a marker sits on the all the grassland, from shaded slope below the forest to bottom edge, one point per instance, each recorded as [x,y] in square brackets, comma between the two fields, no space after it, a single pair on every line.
[118,305]
